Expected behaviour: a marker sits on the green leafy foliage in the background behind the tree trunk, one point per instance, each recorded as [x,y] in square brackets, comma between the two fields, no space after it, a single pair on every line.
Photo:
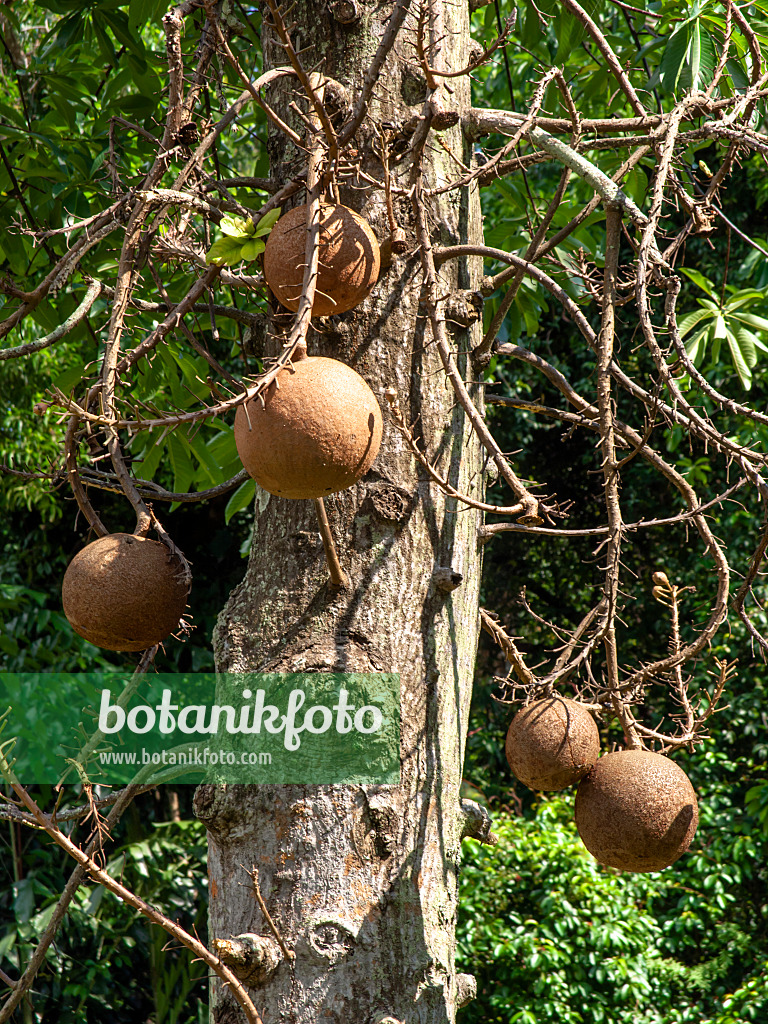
[550,935]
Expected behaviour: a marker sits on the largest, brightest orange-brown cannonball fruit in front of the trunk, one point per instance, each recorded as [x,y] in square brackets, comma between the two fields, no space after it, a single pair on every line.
[319,433]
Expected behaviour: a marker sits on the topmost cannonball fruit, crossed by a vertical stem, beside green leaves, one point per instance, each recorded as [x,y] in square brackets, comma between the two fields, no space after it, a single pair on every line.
[349,260]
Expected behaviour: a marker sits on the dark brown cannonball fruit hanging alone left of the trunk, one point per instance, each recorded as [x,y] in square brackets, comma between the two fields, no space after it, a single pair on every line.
[124,592]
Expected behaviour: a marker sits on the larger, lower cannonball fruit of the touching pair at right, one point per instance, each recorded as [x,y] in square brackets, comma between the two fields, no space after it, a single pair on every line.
[636,812]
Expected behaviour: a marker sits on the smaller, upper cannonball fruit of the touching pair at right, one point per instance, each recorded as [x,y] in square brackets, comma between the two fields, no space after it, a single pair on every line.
[552,744]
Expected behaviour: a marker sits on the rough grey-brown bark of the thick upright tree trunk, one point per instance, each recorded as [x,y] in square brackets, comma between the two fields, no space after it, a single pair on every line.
[362,882]
